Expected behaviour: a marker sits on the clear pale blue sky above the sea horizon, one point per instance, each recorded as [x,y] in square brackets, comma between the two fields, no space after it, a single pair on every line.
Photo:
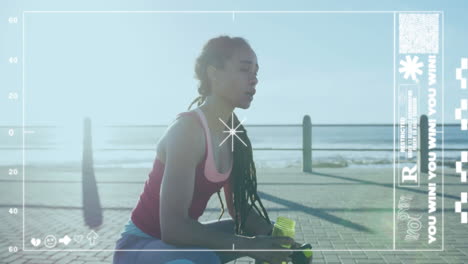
[138,68]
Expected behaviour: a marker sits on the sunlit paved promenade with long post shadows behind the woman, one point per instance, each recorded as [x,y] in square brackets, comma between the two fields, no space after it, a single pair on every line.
[346,214]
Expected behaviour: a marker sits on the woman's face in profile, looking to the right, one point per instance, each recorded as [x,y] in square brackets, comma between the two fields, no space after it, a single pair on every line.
[236,82]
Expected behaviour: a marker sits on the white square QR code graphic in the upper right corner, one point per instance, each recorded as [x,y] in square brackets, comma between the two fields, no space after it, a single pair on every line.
[418,33]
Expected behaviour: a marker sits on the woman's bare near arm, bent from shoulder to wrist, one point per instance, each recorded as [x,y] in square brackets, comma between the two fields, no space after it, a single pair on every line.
[184,151]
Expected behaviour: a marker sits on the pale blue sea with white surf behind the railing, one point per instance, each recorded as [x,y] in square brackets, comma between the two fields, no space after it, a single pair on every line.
[135,146]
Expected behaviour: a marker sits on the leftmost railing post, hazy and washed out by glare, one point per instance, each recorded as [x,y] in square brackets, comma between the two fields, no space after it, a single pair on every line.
[91,204]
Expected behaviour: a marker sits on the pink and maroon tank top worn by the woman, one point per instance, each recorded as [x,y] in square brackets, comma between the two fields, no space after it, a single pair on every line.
[207,182]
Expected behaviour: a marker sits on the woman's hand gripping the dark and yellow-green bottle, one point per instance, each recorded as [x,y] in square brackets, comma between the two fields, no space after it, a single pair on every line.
[268,244]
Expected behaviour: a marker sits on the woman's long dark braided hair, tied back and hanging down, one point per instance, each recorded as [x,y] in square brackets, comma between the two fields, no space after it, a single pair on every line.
[243,175]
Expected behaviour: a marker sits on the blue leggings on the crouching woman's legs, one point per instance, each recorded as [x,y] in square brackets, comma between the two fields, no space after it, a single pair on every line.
[172,257]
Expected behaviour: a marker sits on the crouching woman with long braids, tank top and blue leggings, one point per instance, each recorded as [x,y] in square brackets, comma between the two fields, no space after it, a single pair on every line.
[191,165]
